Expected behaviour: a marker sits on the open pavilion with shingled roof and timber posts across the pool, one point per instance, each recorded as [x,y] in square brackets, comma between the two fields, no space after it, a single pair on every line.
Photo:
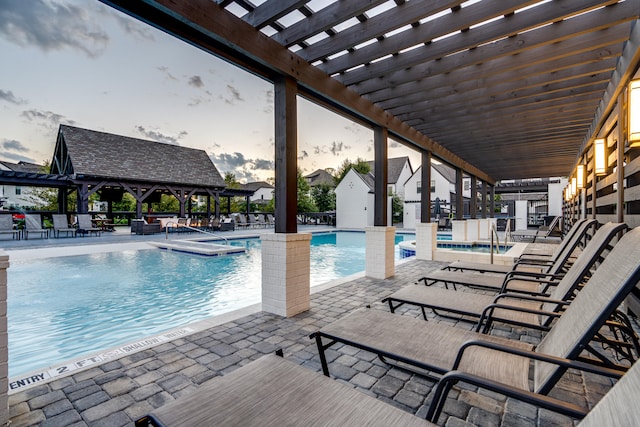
[108,164]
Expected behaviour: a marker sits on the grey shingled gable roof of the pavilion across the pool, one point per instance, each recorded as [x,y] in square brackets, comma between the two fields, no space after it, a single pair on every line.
[101,155]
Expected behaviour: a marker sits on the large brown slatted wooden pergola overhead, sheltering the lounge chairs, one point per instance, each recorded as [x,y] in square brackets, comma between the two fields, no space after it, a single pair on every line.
[498,89]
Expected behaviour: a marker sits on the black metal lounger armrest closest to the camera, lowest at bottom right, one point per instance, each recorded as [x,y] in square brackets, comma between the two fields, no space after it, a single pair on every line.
[451,378]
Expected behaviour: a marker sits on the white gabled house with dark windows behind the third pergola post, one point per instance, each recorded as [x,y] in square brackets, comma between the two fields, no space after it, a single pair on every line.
[442,187]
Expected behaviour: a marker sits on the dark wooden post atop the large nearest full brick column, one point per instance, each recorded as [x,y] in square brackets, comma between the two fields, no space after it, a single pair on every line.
[286,149]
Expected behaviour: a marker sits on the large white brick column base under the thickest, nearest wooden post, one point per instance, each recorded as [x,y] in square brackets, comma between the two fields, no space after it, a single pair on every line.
[286,273]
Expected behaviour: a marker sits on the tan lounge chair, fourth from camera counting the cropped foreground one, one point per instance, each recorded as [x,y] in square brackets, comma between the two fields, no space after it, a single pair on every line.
[514,280]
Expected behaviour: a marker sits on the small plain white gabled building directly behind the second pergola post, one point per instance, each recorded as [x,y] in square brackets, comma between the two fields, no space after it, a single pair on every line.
[355,201]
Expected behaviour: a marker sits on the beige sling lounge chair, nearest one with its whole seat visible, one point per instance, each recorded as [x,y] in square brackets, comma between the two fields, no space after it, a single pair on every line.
[436,347]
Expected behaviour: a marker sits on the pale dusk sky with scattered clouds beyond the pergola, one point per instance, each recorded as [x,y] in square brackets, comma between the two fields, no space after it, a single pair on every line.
[81,63]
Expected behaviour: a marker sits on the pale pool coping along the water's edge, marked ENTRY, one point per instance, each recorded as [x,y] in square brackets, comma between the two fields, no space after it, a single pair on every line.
[72,366]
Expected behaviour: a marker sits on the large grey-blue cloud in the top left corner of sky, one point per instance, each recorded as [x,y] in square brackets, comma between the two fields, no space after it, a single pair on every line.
[51,26]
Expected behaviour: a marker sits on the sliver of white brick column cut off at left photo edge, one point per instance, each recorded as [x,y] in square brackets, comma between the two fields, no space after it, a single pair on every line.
[4,342]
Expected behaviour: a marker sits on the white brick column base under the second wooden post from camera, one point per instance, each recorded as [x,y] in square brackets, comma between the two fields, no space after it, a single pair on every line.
[380,257]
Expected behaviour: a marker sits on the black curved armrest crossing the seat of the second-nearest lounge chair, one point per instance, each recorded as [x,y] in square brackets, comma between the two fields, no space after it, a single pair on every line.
[560,361]
